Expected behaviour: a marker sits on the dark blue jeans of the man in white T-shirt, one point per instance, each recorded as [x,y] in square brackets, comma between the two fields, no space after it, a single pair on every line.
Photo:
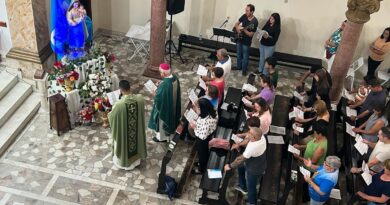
[248,182]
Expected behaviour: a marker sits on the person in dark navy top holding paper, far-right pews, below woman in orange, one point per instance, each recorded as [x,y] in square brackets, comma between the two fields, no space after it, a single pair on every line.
[376,96]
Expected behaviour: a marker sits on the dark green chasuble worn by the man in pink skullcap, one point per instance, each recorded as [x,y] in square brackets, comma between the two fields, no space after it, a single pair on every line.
[167,106]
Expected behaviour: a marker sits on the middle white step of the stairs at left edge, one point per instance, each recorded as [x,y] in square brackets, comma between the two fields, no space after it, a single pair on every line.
[14,98]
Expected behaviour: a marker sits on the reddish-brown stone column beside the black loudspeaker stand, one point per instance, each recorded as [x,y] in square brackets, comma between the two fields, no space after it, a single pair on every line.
[157,38]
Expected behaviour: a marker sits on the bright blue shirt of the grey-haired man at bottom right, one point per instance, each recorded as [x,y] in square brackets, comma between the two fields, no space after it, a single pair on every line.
[326,181]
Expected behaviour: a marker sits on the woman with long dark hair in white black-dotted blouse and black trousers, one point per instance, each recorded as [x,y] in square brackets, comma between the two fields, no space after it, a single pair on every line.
[202,130]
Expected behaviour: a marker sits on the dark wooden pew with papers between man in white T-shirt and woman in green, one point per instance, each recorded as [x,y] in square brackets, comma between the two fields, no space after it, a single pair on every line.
[270,185]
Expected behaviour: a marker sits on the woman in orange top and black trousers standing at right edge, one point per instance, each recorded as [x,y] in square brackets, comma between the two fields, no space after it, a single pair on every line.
[378,50]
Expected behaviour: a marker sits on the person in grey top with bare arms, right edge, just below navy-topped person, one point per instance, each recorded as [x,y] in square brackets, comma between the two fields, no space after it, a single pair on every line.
[369,129]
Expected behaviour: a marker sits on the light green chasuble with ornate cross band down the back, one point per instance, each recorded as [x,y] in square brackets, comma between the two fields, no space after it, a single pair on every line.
[128,130]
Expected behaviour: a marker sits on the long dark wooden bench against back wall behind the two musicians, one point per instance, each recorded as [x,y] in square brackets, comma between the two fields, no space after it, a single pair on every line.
[209,45]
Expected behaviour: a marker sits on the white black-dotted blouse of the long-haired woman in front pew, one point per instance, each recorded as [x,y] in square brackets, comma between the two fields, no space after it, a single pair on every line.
[205,126]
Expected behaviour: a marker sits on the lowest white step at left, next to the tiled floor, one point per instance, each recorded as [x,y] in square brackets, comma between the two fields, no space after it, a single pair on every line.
[19,119]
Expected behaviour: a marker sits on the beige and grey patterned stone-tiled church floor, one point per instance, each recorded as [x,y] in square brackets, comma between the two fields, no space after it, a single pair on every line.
[76,168]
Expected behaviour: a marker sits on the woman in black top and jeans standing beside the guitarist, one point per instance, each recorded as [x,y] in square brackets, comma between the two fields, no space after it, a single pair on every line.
[268,40]
